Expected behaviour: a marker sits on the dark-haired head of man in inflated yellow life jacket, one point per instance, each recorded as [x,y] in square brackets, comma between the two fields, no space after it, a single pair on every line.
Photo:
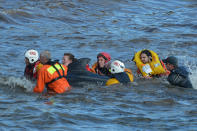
[146,56]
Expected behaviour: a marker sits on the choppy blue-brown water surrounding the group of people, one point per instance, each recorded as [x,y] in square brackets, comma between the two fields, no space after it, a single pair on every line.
[85,28]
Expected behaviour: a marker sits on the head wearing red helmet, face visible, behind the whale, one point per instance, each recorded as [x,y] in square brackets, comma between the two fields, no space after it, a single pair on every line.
[103,58]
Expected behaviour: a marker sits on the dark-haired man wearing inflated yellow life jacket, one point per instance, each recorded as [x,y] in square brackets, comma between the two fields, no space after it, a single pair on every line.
[149,64]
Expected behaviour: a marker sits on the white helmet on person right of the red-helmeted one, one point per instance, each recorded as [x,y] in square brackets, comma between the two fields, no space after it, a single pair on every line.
[117,67]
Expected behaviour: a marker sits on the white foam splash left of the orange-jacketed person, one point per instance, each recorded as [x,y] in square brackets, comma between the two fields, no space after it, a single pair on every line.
[16,82]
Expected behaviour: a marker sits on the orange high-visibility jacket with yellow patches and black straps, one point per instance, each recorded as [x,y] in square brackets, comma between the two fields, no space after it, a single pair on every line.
[48,74]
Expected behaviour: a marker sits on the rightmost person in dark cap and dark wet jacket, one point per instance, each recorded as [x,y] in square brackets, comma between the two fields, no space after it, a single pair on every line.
[179,75]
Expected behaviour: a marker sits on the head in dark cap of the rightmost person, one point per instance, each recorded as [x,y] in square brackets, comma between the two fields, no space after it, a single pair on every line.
[171,62]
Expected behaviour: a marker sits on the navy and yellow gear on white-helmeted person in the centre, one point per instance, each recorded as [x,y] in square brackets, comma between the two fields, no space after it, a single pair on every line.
[123,77]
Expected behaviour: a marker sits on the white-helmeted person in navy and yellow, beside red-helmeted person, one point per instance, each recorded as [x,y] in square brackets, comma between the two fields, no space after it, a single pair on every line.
[120,74]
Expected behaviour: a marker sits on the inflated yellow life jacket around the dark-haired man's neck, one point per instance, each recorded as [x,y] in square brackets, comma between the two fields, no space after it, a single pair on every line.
[150,69]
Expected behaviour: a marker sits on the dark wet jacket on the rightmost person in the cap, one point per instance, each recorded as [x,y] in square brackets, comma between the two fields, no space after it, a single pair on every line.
[180,77]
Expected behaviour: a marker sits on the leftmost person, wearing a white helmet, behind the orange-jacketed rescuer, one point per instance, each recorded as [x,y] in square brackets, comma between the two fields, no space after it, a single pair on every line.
[32,64]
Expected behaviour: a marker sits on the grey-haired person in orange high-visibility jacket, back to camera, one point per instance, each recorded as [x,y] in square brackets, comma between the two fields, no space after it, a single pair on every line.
[52,75]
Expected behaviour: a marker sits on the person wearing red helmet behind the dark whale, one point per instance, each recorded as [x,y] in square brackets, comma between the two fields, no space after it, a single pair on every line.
[100,67]
